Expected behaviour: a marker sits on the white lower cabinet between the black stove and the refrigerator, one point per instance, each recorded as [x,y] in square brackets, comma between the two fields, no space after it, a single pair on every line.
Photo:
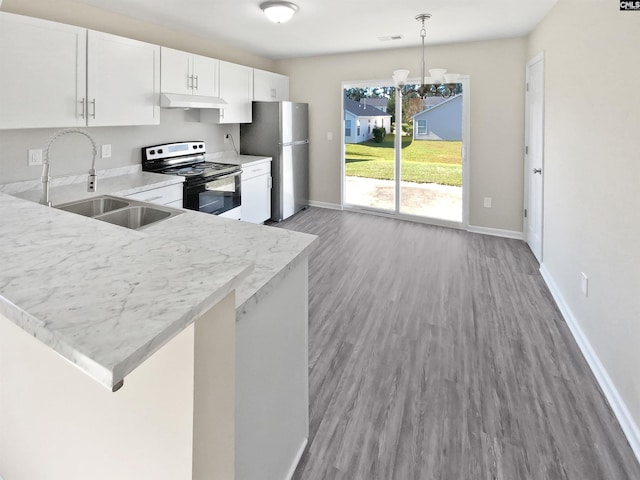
[256,192]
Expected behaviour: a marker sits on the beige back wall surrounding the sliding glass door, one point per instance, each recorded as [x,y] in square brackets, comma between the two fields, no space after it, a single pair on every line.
[496,69]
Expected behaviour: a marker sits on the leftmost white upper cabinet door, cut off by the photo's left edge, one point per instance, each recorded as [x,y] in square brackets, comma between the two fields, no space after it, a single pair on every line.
[42,73]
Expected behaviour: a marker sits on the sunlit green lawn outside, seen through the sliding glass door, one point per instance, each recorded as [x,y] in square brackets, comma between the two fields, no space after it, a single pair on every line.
[423,161]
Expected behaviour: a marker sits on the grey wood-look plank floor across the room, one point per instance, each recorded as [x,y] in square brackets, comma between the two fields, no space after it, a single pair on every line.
[440,354]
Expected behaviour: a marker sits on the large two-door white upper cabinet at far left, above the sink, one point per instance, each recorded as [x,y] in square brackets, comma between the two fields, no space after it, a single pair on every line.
[56,75]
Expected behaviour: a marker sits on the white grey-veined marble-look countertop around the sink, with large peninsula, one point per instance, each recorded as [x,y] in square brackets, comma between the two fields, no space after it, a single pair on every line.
[106,297]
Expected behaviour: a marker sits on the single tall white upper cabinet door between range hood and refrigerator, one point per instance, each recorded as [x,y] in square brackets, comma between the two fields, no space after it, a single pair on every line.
[236,88]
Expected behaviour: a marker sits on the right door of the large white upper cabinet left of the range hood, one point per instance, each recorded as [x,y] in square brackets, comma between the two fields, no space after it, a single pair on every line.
[123,81]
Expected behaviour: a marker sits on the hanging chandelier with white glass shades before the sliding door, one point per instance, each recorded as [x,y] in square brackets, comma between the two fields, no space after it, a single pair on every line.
[438,83]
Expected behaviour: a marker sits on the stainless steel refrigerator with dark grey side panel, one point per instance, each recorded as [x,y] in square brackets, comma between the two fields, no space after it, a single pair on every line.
[280,130]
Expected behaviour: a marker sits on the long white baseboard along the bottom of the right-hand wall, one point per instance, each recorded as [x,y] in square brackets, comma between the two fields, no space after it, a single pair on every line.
[620,410]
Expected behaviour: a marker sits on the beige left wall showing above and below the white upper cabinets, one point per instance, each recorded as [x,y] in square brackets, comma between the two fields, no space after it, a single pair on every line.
[72,155]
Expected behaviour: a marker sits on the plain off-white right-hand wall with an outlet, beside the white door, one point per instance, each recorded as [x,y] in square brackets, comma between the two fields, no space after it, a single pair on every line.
[592,177]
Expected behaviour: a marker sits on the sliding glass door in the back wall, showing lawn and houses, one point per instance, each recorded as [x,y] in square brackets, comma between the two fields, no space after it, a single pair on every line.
[403,154]
